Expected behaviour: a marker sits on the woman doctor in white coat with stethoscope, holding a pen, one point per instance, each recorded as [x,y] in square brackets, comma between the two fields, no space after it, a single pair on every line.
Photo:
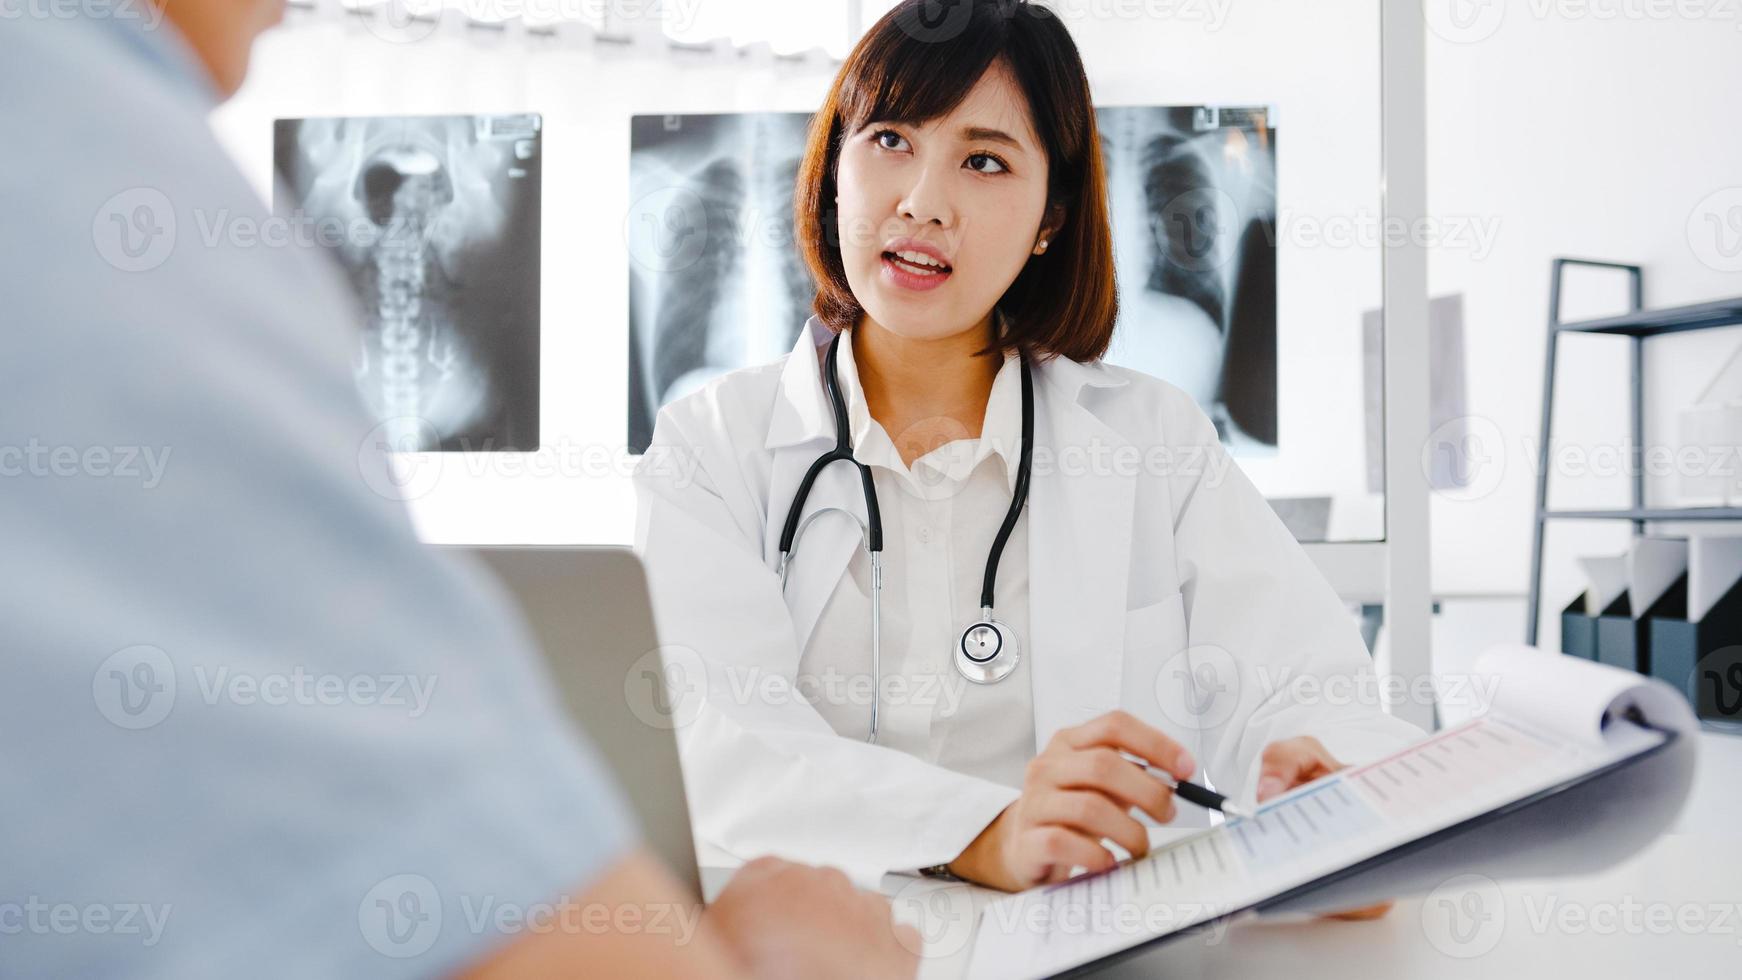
[929,579]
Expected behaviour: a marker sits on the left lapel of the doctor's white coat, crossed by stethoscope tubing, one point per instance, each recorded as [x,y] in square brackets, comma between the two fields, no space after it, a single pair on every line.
[800,431]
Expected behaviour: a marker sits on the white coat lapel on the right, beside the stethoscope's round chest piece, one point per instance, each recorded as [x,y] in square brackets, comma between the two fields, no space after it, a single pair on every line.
[1079,553]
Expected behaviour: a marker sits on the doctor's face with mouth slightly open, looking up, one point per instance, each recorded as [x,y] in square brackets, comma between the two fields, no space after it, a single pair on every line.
[969,191]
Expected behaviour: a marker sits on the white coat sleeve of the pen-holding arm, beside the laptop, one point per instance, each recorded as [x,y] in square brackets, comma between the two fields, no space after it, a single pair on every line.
[766,774]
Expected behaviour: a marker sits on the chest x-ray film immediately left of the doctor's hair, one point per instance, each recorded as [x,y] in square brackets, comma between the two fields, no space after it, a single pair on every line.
[715,281]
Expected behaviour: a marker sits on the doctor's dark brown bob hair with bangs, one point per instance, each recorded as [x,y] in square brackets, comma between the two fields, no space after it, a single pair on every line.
[917,64]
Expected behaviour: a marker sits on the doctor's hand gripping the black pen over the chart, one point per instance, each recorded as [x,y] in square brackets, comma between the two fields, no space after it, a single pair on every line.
[1077,793]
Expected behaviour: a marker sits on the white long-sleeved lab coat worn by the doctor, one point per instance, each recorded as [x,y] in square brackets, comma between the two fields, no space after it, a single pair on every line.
[1161,582]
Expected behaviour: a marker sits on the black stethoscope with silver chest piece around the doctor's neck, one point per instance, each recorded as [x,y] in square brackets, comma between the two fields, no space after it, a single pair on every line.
[987,652]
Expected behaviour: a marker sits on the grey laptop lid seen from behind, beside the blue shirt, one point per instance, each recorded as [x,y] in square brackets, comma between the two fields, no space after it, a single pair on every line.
[591,615]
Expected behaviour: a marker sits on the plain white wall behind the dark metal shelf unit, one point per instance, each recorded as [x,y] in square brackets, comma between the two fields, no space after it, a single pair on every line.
[1595,138]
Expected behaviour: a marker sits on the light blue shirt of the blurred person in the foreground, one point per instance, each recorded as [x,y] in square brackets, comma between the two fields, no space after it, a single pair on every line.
[248,725]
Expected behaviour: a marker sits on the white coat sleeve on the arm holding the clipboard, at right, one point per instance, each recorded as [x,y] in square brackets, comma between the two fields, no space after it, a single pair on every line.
[1267,624]
